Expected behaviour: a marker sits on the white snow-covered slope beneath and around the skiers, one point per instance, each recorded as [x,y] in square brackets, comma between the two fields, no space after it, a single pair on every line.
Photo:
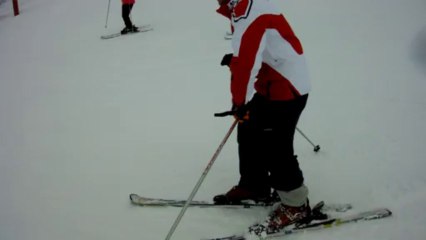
[84,121]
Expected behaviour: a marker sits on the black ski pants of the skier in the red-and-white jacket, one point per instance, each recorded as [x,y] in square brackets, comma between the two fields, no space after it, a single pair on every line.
[265,145]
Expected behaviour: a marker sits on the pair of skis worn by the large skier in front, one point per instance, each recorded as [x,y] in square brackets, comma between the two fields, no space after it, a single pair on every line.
[320,219]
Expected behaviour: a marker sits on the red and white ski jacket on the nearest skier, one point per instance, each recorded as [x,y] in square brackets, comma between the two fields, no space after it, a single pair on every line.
[267,56]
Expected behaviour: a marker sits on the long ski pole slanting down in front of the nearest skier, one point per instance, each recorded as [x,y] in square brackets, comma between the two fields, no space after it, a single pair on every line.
[197,186]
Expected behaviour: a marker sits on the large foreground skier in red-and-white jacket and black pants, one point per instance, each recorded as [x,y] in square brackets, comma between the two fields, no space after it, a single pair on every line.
[269,87]
